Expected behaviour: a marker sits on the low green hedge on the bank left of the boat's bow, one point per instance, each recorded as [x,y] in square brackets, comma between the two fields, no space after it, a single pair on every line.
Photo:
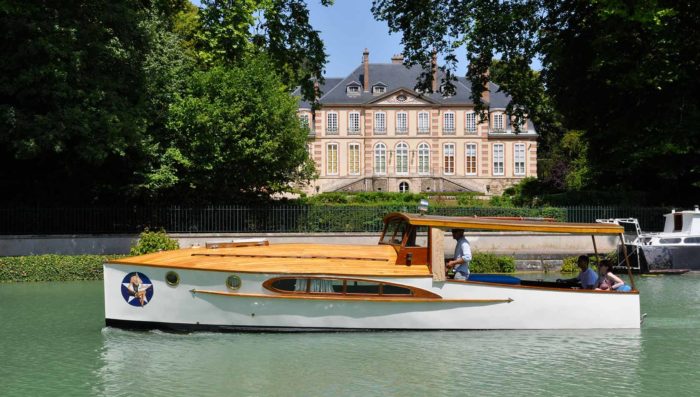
[52,267]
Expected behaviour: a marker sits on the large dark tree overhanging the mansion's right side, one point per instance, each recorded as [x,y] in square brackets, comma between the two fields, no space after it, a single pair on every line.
[624,73]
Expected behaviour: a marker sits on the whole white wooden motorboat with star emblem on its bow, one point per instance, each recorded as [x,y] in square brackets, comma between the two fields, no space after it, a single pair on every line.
[398,284]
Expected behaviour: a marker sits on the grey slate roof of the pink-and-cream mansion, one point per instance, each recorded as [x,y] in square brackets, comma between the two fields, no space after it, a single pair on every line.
[395,77]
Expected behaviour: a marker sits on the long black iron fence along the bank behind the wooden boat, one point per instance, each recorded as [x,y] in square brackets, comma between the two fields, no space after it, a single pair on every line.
[281,219]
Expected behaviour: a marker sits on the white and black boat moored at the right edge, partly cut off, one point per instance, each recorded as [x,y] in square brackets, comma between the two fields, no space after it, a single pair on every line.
[676,250]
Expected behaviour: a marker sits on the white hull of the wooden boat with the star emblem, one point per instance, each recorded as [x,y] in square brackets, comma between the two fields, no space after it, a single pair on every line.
[202,301]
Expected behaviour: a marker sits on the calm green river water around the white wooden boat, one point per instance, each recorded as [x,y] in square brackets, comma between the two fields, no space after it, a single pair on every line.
[53,343]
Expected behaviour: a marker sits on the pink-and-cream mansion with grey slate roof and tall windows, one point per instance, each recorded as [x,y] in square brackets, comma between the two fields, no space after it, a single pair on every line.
[374,132]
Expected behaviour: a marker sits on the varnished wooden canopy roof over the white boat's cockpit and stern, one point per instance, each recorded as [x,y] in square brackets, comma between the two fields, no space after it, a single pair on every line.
[495,224]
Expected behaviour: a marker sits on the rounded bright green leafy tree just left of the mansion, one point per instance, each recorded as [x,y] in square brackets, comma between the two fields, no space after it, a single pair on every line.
[234,134]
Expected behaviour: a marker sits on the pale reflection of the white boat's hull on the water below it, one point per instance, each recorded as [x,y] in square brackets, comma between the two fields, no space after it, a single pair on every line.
[398,363]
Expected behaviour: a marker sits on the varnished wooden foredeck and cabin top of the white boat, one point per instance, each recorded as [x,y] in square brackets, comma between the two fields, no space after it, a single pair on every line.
[345,260]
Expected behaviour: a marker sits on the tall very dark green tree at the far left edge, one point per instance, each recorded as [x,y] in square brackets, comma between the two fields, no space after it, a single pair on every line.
[71,101]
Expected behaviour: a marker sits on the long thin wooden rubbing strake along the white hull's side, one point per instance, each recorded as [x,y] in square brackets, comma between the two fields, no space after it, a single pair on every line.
[363,298]
